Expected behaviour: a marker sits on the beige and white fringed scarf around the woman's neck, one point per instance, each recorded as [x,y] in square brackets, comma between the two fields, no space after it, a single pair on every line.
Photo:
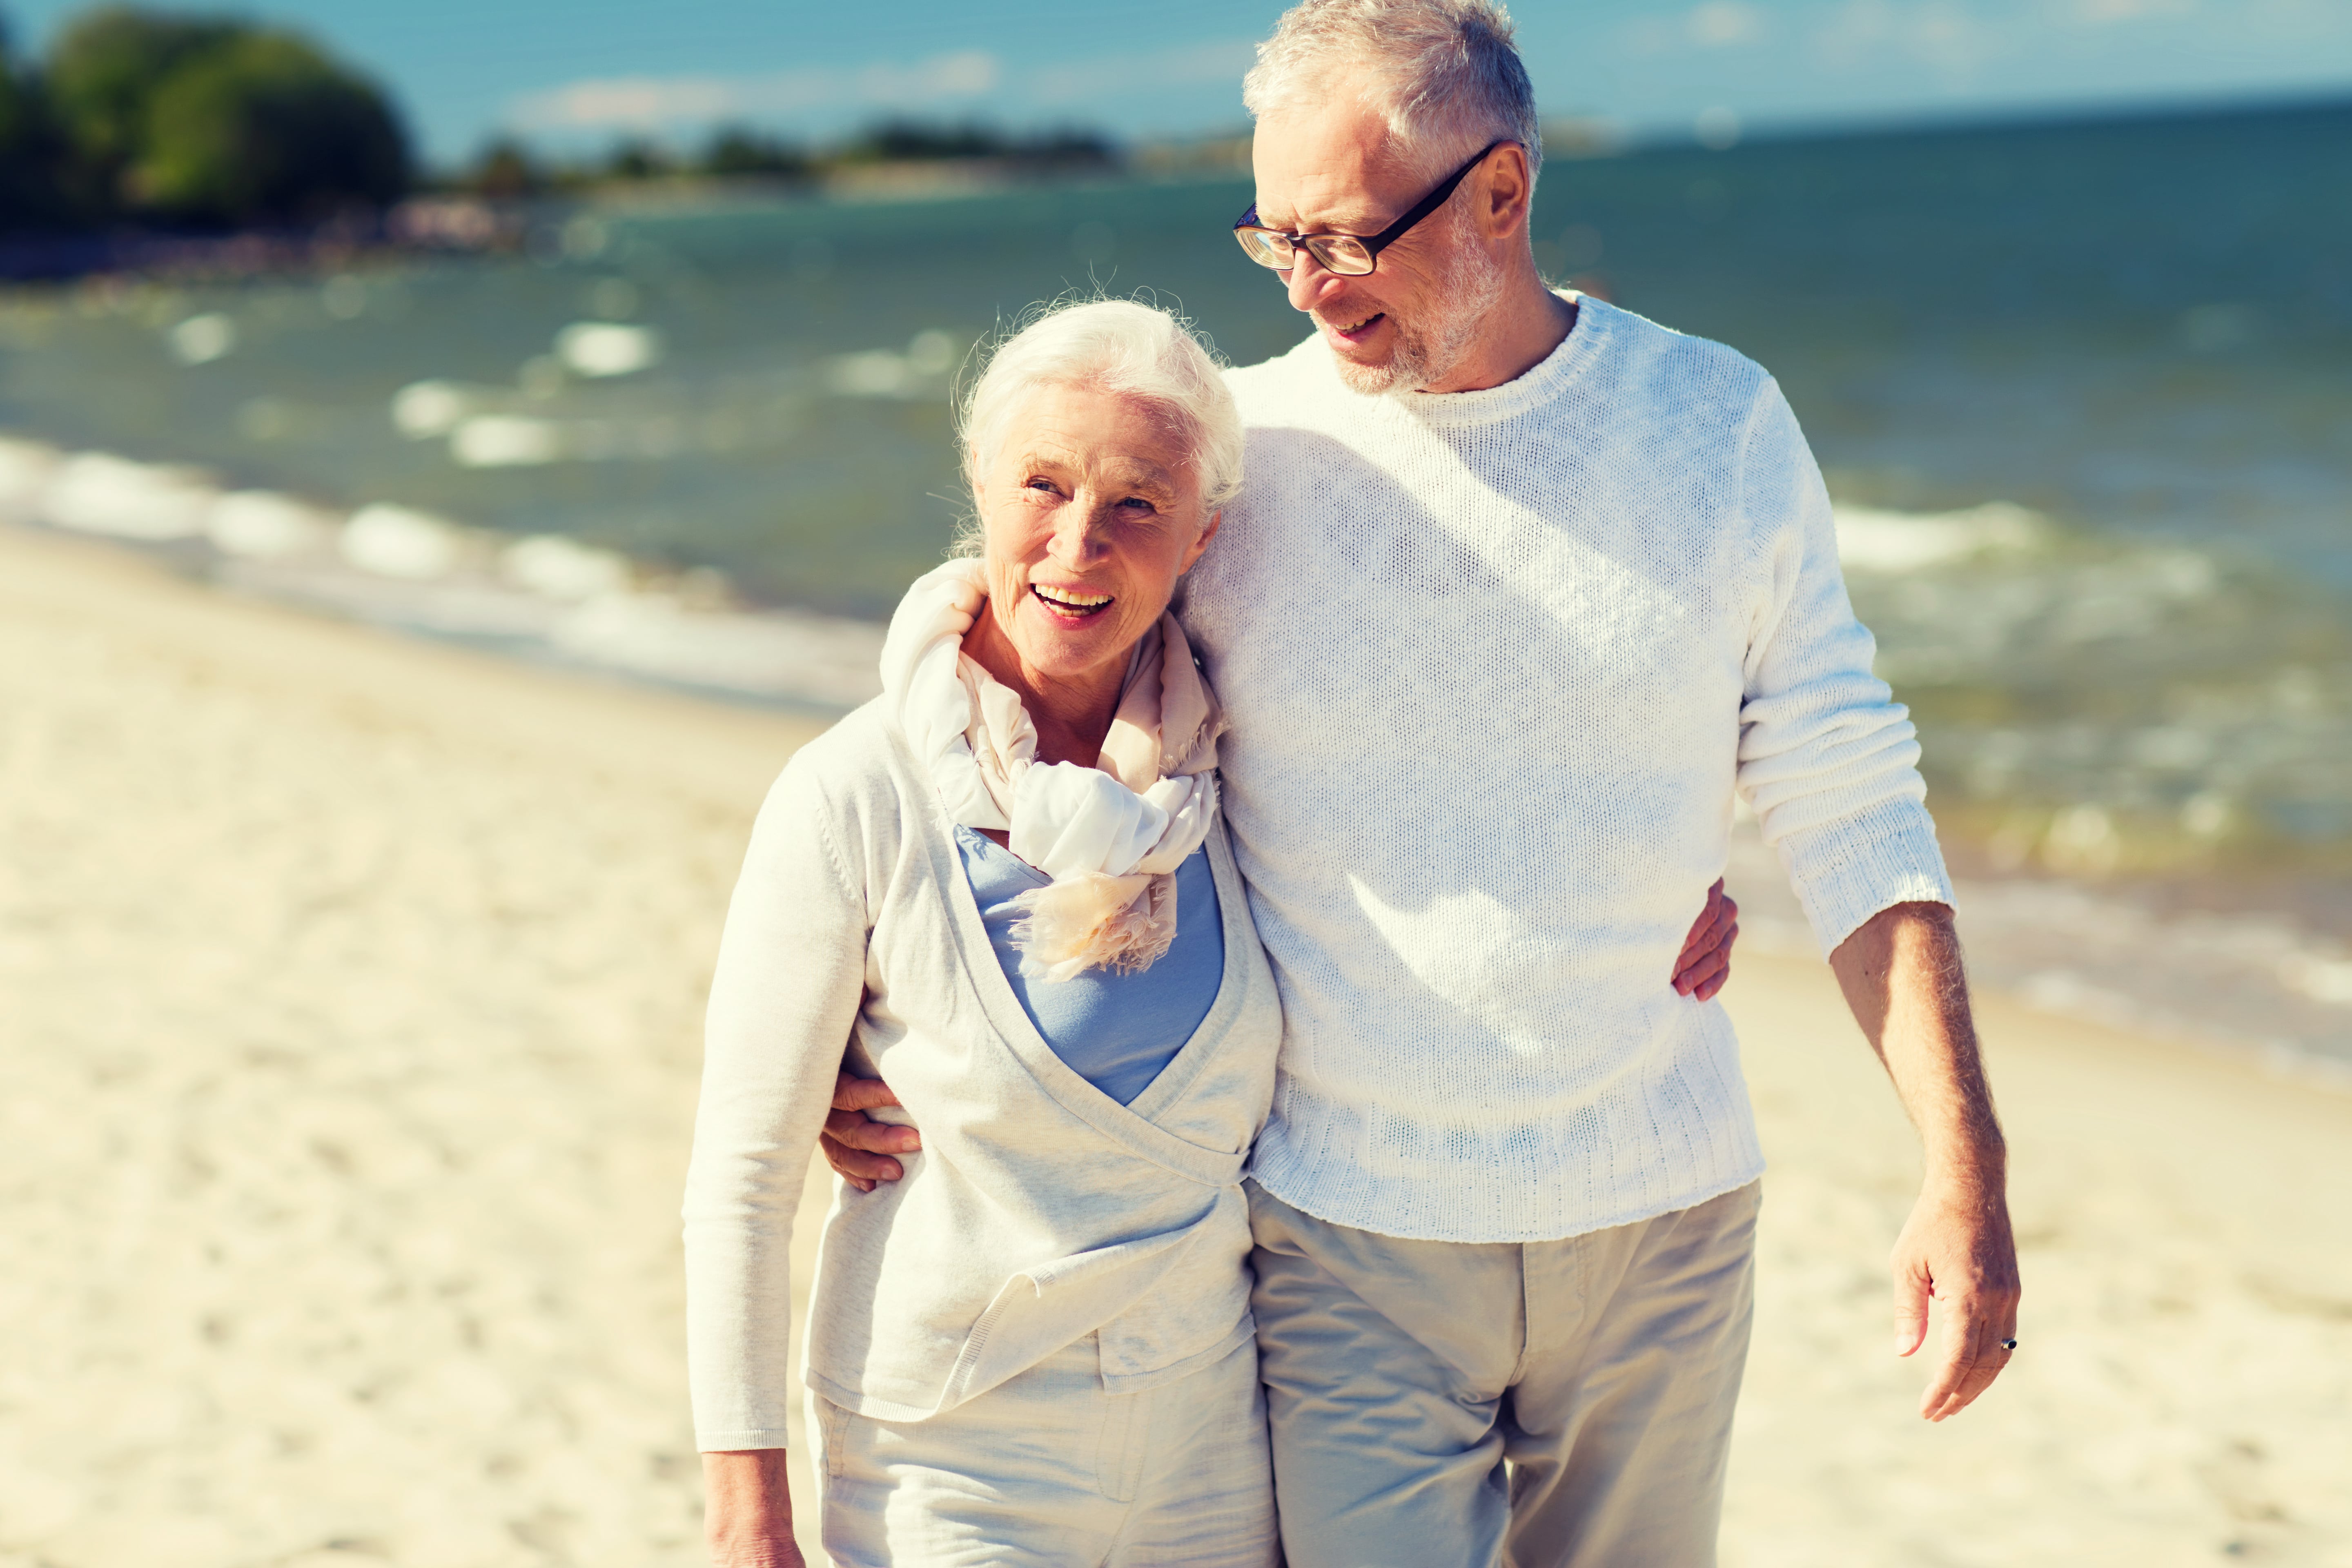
[1111,836]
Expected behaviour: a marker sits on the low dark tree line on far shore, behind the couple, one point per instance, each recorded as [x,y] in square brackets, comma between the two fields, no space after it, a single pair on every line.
[509,168]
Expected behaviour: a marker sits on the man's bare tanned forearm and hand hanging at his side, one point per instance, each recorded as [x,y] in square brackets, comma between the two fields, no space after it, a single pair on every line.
[1904,979]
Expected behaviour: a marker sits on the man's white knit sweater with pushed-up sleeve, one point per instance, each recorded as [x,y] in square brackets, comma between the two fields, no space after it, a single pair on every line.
[1497,664]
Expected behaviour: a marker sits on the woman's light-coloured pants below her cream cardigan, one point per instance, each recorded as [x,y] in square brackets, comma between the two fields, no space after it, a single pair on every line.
[1050,1470]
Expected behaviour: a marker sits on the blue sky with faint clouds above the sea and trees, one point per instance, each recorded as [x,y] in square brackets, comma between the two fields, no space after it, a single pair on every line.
[580,72]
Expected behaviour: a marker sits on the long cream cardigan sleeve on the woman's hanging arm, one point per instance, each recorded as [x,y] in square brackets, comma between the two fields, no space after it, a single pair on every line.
[784,998]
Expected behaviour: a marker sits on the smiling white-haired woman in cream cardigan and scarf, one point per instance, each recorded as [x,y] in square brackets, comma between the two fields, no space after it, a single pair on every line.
[1005,890]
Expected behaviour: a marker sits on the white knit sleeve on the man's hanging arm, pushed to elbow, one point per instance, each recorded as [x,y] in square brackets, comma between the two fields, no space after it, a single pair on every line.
[1829,758]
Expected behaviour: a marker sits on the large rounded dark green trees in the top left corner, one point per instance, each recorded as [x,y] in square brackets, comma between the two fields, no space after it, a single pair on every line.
[189,121]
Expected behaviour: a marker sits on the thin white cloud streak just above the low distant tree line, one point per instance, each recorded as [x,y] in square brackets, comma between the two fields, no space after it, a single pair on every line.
[653,102]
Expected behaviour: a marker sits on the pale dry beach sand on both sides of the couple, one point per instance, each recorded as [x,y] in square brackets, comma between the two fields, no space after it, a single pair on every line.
[349,1003]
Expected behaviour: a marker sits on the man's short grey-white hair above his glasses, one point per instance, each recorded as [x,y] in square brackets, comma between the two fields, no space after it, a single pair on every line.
[1441,72]
